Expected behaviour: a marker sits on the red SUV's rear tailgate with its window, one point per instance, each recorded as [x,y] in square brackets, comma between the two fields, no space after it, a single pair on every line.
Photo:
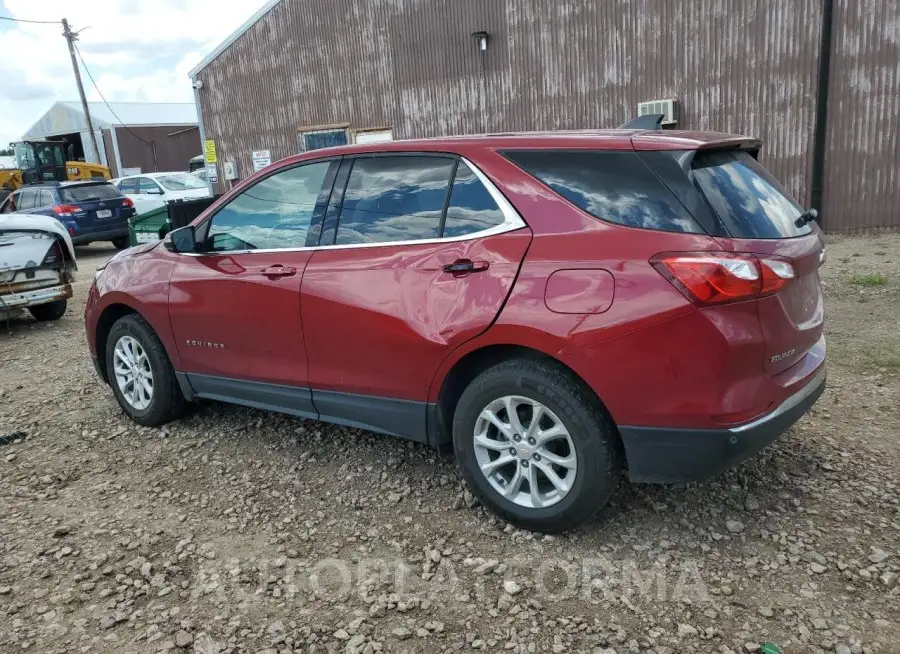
[760,217]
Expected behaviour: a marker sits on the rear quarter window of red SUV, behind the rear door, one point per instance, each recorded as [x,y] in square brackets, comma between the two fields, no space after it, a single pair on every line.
[613,186]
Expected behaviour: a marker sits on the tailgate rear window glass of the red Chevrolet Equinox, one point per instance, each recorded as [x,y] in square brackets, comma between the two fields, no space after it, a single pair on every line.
[747,198]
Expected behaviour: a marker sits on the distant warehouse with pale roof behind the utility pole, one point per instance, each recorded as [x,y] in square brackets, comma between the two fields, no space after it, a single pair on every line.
[131,136]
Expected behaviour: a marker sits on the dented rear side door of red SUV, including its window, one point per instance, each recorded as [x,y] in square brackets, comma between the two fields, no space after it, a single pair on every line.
[417,256]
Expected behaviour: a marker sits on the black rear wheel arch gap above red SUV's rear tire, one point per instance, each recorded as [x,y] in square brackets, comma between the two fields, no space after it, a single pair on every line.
[473,363]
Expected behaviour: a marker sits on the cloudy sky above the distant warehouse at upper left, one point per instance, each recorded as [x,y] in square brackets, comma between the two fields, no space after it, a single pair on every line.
[137,51]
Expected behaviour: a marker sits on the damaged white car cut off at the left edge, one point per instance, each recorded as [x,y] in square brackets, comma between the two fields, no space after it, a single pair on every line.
[37,266]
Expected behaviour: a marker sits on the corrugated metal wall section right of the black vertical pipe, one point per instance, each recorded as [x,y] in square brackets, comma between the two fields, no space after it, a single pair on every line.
[862,162]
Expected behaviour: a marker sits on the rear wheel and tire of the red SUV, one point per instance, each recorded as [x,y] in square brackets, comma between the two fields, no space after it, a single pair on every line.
[596,446]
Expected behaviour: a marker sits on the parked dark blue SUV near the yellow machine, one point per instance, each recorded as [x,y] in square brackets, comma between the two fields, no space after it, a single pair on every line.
[89,210]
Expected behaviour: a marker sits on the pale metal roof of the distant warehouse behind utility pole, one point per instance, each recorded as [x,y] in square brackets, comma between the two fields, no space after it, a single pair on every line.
[68,117]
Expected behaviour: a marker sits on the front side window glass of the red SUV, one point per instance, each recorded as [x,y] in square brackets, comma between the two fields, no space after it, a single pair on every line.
[275,213]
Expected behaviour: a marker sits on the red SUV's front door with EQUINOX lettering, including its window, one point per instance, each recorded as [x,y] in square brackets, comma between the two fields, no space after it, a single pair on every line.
[235,304]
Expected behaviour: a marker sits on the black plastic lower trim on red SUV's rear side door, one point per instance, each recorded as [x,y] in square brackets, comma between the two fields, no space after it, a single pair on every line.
[403,418]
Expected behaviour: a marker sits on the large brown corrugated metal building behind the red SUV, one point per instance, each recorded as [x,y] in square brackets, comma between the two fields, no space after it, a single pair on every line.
[309,73]
